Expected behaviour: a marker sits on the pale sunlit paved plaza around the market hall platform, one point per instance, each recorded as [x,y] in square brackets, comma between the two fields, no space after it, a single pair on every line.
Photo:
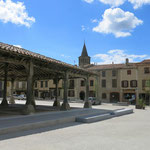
[129,132]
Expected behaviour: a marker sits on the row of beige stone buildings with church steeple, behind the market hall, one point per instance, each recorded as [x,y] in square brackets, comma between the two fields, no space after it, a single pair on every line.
[116,82]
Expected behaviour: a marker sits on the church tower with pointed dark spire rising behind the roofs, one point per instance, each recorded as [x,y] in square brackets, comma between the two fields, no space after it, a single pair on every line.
[84,59]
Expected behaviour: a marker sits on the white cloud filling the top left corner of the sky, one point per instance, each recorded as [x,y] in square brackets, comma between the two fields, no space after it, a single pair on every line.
[15,13]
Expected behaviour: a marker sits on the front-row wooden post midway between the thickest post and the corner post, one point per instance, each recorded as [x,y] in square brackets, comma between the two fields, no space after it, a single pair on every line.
[65,104]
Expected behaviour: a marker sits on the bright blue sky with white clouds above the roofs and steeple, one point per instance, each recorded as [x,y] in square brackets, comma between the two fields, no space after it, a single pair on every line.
[112,29]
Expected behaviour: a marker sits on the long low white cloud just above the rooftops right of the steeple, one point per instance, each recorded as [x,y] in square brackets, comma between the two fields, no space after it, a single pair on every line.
[117,56]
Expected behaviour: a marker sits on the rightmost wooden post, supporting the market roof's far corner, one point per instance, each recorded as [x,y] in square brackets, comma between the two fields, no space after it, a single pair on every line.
[87,103]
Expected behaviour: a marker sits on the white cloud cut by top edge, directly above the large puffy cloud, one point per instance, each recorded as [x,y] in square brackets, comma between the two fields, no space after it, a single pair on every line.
[113,3]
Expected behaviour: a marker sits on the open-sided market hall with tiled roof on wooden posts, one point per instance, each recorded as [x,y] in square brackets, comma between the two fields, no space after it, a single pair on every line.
[18,64]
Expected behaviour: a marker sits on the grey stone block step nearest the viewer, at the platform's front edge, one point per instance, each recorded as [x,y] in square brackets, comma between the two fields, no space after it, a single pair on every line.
[93,118]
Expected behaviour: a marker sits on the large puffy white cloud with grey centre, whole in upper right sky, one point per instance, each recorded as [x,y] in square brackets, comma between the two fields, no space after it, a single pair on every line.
[117,22]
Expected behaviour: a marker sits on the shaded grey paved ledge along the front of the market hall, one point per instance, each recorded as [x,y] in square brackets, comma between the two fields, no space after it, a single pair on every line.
[19,123]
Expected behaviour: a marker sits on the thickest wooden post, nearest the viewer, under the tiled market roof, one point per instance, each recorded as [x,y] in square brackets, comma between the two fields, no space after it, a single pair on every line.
[30,103]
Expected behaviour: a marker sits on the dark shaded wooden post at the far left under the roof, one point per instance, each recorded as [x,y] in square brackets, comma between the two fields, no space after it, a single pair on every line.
[4,101]
